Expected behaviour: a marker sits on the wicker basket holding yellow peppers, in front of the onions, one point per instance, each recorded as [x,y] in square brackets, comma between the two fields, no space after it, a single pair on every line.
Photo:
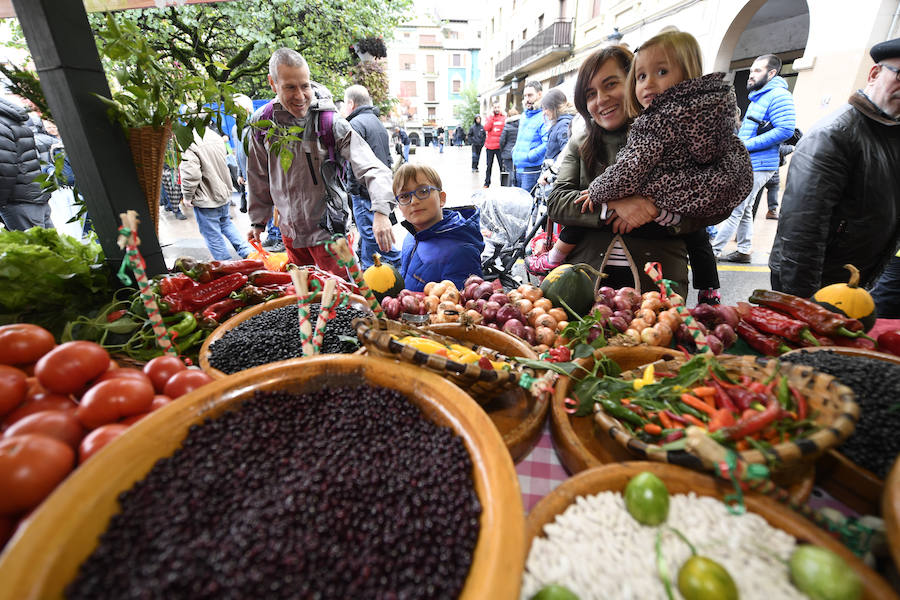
[482,384]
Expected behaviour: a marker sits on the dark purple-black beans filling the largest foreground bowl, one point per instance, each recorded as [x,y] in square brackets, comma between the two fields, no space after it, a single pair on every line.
[343,493]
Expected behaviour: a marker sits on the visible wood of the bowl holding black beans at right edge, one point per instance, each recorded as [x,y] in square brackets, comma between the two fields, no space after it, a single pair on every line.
[857,487]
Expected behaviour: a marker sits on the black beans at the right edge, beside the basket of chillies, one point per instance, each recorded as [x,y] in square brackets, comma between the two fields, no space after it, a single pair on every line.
[876,442]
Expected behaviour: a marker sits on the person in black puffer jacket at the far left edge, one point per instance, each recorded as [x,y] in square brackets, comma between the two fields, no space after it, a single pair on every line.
[22,202]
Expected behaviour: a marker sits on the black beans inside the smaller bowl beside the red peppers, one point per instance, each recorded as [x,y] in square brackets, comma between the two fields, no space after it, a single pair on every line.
[275,335]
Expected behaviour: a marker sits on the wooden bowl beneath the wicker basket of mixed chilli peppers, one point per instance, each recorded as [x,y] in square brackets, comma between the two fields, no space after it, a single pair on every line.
[581,444]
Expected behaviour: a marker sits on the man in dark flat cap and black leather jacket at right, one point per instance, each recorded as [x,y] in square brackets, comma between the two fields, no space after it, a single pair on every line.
[842,200]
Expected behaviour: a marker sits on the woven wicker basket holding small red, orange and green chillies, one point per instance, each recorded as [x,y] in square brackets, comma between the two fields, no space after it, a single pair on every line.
[837,413]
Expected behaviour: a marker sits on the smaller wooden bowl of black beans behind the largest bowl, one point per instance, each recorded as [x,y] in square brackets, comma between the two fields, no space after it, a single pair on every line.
[270,332]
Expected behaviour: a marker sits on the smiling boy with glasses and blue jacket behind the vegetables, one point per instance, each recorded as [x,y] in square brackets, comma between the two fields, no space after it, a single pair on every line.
[446,243]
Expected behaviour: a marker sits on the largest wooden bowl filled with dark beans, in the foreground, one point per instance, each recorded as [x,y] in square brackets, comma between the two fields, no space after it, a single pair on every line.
[324,477]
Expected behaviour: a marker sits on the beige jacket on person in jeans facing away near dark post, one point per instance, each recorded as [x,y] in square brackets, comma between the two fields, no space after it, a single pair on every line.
[205,180]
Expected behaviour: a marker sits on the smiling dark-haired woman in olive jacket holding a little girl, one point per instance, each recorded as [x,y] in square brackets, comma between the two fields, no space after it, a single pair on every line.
[600,99]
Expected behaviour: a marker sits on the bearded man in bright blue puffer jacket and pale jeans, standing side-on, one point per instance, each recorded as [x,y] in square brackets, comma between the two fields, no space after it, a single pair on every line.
[770,120]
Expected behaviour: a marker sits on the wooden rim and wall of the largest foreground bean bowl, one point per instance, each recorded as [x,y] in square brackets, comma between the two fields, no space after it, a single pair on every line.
[45,554]
